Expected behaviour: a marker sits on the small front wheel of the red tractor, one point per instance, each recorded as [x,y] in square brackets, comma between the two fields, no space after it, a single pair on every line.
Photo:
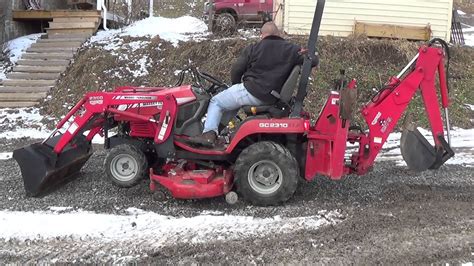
[126,165]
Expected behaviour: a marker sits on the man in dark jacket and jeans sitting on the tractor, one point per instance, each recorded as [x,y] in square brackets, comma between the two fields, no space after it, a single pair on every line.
[261,70]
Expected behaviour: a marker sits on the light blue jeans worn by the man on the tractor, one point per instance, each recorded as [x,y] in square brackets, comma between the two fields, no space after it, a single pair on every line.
[226,104]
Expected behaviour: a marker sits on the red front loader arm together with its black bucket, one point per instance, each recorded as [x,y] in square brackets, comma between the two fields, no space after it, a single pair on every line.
[47,164]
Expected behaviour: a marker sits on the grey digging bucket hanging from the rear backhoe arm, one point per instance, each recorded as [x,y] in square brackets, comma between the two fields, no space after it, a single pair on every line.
[417,152]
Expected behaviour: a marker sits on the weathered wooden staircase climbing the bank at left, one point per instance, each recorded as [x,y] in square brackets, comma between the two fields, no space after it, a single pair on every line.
[41,66]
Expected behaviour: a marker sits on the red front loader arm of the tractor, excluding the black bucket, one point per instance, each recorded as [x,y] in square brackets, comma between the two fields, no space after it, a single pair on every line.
[89,114]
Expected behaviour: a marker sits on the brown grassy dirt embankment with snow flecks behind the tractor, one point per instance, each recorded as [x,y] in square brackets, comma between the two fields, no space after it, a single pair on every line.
[153,62]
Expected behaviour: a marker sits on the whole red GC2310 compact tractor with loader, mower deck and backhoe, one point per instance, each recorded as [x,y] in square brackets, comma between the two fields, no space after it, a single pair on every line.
[261,158]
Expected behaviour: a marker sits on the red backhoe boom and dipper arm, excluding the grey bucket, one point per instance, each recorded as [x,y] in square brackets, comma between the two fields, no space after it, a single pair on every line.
[386,108]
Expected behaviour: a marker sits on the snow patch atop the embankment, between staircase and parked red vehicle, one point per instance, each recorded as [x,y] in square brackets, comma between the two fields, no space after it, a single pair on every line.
[173,30]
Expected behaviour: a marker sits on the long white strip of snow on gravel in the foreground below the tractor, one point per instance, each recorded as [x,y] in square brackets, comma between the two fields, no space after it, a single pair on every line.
[142,225]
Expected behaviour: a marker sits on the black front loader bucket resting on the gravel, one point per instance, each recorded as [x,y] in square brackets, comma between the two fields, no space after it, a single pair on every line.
[43,170]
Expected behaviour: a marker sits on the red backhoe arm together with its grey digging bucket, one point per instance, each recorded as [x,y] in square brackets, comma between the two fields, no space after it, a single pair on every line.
[386,108]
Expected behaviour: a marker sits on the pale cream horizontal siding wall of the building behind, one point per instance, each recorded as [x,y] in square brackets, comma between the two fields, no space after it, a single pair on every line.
[339,15]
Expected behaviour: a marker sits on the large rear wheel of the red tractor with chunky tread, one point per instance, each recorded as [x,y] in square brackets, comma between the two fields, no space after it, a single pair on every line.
[266,173]
